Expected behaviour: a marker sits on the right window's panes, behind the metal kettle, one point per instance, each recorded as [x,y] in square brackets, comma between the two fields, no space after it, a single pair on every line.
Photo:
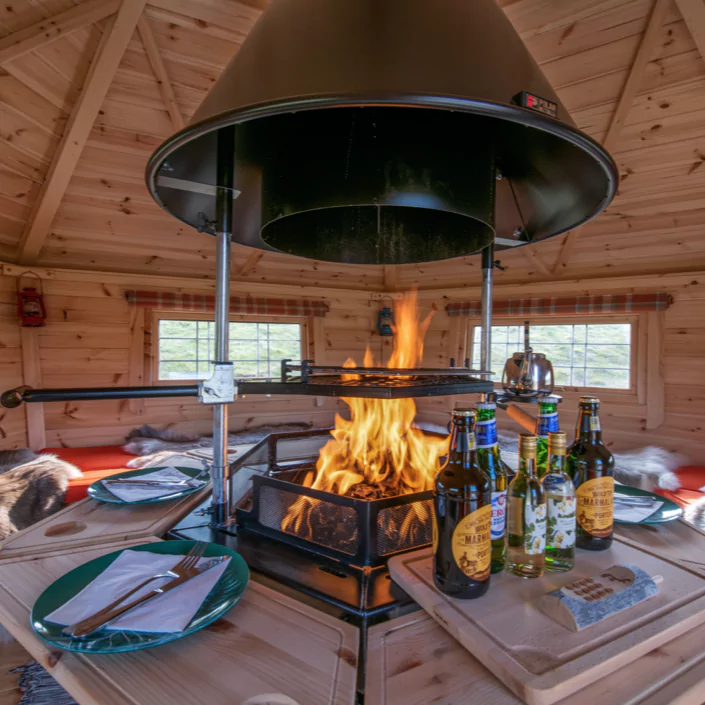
[583,355]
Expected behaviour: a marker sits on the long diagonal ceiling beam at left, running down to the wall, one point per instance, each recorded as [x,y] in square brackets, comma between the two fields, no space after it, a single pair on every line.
[107,58]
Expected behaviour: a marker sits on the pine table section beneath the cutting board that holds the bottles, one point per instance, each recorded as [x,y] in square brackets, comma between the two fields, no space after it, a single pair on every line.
[411,660]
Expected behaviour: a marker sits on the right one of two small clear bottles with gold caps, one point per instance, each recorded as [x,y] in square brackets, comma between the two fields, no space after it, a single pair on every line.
[560,505]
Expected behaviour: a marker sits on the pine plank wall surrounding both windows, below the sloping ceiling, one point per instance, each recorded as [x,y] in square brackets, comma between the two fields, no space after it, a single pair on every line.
[88,341]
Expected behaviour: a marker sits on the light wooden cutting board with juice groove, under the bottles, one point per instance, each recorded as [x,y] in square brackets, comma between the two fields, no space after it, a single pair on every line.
[539,660]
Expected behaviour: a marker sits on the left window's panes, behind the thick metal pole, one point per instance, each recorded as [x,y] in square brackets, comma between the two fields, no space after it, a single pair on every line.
[256,348]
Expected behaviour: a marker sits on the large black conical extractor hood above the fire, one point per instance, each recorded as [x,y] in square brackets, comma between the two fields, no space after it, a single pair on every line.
[384,132]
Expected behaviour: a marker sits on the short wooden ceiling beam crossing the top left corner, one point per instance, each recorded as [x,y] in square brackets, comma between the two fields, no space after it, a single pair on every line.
[53,28]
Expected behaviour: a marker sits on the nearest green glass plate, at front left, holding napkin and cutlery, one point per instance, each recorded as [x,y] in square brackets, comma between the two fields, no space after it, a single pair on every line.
[226,592]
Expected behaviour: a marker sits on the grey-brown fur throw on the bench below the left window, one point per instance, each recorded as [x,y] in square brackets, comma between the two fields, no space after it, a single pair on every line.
[157,446]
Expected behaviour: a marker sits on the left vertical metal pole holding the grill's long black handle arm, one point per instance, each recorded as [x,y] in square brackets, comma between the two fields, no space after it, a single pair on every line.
[224,231]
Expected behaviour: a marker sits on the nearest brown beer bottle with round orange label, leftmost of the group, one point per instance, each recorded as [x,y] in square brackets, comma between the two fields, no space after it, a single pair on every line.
[462,516]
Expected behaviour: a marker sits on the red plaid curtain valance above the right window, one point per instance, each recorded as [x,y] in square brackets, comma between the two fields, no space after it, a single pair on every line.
[553,306]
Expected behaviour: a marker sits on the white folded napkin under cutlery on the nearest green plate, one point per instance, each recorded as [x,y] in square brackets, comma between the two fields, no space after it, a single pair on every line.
[170,612]
